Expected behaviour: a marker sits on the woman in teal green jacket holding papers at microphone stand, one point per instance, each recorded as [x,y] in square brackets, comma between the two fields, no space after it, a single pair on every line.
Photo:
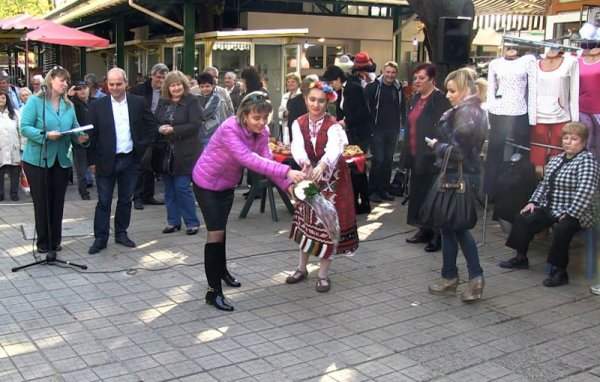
[46,117]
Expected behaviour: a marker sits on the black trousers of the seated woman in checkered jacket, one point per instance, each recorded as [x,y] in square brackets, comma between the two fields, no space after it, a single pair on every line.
[526,226]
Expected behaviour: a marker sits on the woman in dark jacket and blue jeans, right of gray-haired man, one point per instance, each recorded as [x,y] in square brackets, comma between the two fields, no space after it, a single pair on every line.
[179,113]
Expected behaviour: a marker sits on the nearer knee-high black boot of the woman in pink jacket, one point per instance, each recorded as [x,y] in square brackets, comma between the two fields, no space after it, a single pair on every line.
[214,257]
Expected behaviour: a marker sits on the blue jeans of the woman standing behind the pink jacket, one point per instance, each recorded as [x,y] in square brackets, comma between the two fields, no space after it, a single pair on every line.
[179,200]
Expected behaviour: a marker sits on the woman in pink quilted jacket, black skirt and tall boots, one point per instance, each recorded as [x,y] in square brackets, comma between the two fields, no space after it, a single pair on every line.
[242,141]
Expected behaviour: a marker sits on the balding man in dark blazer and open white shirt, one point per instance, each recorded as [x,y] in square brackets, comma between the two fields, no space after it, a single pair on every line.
[123,128]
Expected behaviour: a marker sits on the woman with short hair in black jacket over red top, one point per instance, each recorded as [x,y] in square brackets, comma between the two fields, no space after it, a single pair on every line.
[426,108]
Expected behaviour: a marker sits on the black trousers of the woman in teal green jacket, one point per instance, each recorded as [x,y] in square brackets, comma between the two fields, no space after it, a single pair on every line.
[55,190]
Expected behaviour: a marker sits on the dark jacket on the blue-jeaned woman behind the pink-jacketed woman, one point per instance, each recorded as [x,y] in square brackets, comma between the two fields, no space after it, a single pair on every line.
[186,128]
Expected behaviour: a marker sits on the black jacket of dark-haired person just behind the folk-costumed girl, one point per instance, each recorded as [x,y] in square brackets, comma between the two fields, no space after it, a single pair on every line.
[355,112]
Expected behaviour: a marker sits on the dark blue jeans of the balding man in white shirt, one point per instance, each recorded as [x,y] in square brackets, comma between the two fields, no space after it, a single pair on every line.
[124,175]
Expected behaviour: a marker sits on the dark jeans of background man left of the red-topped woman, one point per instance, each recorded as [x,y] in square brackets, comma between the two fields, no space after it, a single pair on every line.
[383,145]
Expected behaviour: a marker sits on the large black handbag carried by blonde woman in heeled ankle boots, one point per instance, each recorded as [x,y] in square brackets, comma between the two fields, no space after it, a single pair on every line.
[449,205]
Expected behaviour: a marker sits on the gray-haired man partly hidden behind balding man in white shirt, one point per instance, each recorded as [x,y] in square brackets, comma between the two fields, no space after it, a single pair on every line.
[150,90]
